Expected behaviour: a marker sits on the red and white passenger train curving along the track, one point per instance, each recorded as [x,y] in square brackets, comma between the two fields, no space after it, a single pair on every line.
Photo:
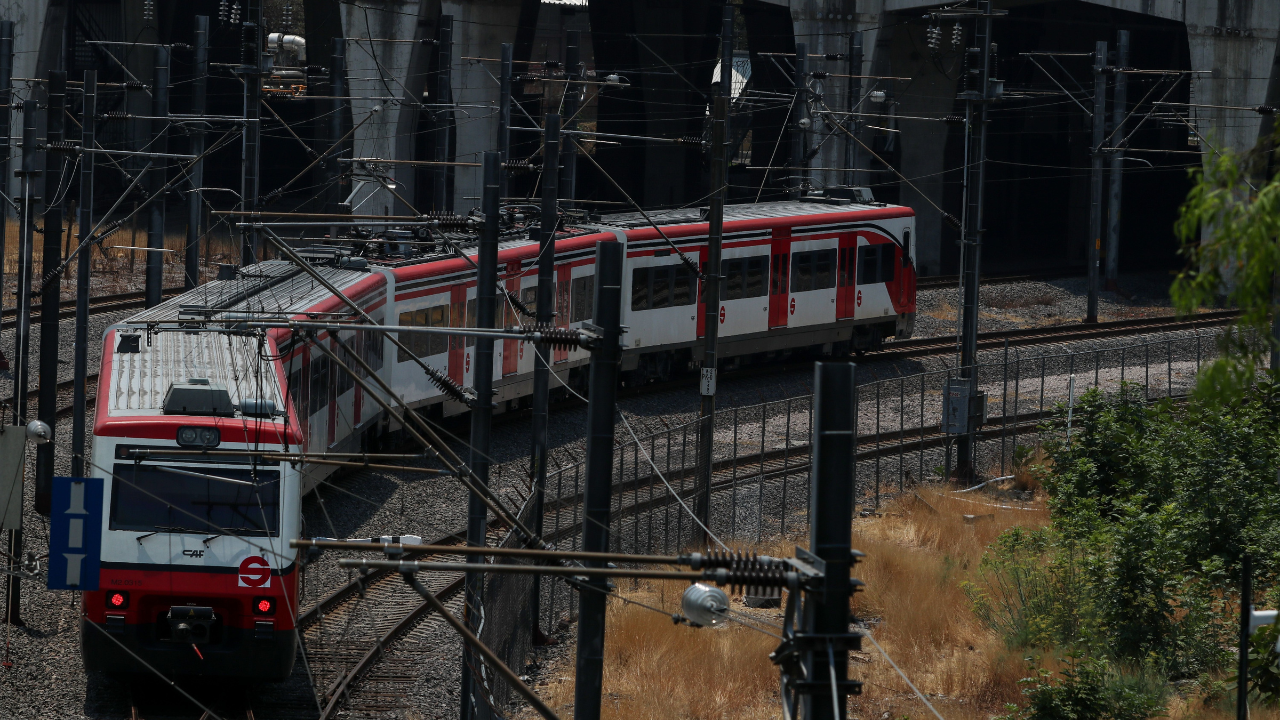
[198,577]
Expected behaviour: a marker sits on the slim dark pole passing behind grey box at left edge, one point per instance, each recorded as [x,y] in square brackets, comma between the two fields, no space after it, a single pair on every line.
[22,340]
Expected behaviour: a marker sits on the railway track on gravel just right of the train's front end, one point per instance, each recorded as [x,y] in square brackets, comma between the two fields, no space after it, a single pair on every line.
[351,632]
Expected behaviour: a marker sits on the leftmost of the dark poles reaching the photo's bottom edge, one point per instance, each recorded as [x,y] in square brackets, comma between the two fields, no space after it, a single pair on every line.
[482,426]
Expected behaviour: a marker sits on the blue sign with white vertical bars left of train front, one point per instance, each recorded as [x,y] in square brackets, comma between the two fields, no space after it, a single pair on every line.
[76,535]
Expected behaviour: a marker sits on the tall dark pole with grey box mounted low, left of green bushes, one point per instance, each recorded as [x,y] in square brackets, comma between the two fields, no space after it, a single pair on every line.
[977,101]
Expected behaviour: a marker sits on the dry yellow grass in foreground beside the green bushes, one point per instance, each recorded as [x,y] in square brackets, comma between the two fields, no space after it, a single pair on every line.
[917,557]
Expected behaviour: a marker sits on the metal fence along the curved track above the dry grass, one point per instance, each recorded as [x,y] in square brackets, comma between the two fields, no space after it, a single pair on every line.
[761,453]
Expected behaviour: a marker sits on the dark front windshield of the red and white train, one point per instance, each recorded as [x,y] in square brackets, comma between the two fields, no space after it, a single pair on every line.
[198,500]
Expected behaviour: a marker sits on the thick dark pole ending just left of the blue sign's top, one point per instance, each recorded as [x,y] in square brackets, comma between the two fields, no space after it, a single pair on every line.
[51,300]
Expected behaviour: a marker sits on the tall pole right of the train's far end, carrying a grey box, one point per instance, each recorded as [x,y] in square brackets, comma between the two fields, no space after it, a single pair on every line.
[976,101]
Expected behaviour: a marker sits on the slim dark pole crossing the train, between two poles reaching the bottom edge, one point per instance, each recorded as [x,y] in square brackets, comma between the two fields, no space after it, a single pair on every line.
[546,311]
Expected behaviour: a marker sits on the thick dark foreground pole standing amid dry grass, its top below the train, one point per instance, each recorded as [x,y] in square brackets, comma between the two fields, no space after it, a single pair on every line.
[831,512]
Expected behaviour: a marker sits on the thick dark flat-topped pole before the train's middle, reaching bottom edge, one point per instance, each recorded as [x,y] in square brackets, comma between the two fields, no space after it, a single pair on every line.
[606,361]
